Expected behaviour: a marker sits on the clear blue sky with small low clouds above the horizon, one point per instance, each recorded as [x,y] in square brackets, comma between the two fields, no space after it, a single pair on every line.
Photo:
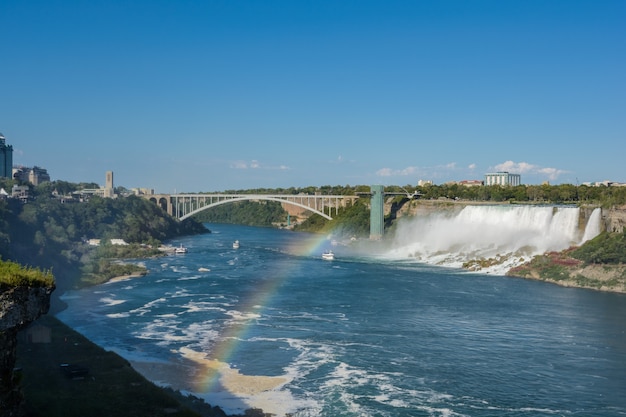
[187,96]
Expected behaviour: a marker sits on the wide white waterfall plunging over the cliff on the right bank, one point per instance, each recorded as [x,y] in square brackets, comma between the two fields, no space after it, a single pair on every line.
[507,235]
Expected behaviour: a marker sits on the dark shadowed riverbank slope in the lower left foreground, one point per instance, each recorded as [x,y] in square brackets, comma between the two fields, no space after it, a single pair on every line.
[64,374]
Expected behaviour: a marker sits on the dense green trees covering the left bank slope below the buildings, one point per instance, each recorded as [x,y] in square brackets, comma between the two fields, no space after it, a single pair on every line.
[49,232]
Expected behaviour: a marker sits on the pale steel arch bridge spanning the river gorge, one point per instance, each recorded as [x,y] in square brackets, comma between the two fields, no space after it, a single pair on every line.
[182,206]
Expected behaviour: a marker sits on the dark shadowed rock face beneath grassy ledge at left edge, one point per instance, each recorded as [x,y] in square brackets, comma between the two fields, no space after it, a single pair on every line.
[19,306]
